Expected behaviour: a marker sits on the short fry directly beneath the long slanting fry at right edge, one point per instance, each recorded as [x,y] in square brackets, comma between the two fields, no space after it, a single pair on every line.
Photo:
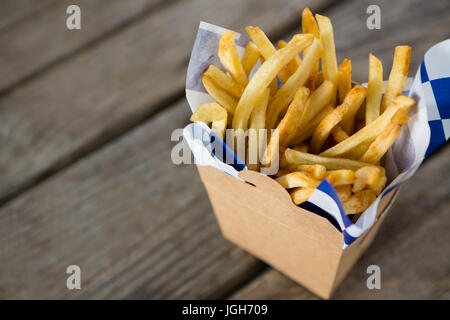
[382,144]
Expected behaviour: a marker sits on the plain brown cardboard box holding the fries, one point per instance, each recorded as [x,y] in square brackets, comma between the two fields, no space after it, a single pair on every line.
[260,217]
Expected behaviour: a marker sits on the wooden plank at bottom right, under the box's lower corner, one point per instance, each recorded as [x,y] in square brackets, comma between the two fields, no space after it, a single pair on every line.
[411,248]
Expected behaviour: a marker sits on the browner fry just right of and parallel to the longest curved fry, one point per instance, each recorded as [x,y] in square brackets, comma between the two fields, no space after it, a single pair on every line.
[287,91]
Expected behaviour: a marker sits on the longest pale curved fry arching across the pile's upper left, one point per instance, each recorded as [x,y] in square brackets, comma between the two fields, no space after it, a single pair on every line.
[265,74]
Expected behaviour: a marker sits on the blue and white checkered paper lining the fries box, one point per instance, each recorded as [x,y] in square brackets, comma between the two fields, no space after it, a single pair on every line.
[427,129]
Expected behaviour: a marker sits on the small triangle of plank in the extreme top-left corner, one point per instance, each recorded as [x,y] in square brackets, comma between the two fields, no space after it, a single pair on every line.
[12,11]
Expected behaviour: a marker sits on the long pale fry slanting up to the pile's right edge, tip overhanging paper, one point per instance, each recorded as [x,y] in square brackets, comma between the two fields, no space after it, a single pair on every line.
[372,130]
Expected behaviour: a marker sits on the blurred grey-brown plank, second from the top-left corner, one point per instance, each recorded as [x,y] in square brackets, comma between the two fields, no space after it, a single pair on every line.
[36,42]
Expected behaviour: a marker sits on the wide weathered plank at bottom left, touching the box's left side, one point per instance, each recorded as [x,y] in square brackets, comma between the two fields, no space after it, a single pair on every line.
[137,225]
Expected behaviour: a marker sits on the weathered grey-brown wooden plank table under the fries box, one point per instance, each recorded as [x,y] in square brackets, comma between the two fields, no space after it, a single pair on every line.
[86,177]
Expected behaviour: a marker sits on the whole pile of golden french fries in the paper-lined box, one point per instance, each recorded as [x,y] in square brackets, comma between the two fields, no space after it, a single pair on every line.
[326,126]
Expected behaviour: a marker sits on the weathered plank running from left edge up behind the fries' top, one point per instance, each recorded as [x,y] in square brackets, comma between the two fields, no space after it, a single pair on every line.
[108,88]
